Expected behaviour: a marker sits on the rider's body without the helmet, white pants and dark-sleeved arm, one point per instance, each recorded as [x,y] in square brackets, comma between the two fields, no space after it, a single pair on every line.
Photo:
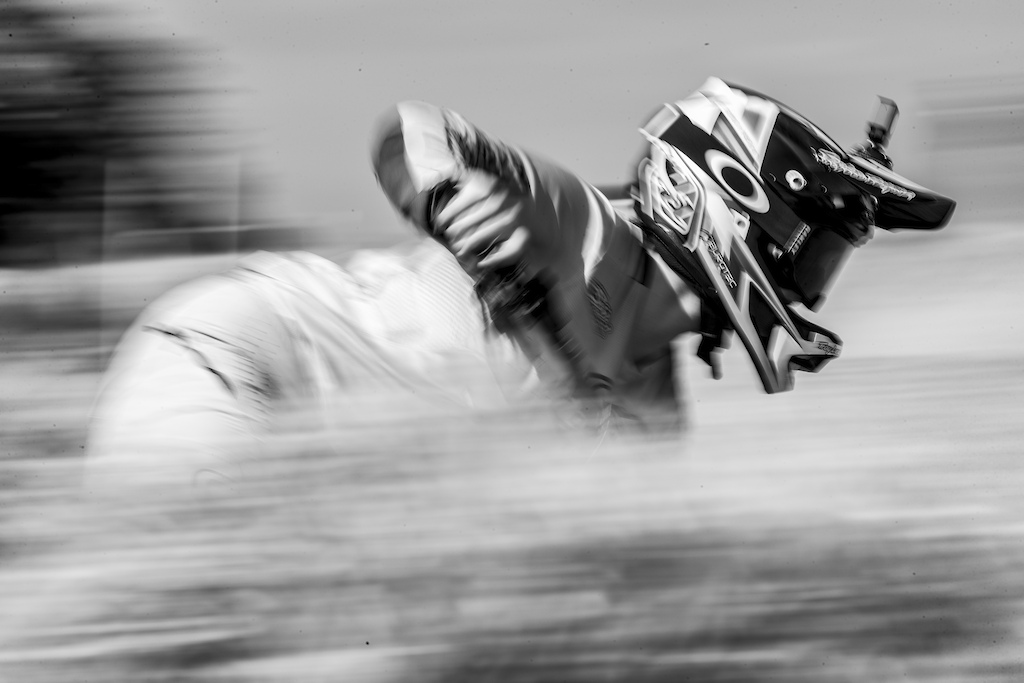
[200,375]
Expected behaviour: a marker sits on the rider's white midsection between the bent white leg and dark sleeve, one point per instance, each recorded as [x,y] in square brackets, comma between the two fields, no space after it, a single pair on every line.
[405,317]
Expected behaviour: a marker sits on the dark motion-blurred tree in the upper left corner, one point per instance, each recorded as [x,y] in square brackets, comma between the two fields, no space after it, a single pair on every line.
[93,125]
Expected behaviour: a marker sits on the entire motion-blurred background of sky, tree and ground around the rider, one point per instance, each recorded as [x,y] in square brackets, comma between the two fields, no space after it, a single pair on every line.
[866,527]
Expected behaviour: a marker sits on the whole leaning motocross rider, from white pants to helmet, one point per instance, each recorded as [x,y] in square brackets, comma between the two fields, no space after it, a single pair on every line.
[580,301]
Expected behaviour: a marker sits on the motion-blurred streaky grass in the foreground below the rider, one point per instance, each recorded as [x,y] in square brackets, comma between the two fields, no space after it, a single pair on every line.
[865,528]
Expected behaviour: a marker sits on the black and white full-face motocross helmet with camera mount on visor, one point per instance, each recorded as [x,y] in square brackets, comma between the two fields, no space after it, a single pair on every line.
[759,209]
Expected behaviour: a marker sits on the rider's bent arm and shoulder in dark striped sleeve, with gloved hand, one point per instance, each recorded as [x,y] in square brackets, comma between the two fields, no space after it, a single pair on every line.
[530,232]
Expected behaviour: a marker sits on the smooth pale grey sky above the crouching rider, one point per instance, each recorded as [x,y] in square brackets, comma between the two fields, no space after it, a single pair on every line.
[572,80]
